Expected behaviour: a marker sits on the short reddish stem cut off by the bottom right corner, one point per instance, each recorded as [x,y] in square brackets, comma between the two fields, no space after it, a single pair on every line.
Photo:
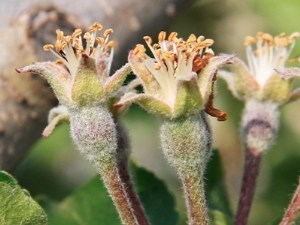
[293,210]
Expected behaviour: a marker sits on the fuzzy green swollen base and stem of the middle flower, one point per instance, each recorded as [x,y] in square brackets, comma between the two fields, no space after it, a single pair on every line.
[186,145]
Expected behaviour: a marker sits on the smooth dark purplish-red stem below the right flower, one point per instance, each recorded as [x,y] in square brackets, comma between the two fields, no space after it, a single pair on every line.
[251,168]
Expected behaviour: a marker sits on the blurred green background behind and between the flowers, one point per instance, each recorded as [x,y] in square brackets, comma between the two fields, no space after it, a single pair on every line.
[55,168]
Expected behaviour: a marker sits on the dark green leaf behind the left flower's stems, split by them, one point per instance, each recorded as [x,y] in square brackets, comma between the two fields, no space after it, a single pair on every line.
[91,205]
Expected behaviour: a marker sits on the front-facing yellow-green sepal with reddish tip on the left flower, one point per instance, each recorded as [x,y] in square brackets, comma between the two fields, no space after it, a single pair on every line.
[87,88]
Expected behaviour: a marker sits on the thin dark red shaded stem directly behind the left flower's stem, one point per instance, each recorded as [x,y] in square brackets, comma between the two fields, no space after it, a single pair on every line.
[133,198]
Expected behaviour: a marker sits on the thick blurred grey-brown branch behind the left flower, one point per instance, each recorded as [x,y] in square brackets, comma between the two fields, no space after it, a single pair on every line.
[25,100]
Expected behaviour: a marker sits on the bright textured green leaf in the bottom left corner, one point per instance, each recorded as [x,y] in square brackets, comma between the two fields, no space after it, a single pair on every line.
[16,205]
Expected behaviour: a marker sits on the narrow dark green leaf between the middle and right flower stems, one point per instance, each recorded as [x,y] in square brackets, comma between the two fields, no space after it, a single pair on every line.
[218,201]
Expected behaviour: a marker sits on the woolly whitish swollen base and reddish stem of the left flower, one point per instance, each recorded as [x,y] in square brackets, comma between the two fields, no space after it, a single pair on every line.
[94,132]
